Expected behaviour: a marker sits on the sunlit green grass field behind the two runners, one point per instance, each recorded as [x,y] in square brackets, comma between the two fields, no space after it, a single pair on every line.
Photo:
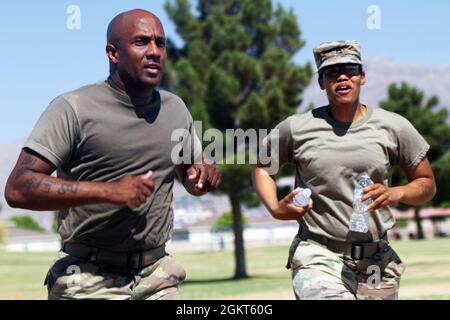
[427,275]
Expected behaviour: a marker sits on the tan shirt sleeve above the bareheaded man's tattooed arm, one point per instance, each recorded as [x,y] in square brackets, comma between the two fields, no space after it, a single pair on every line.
[56,132]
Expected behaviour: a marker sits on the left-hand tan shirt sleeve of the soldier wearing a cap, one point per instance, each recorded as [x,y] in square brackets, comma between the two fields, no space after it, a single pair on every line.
[276,148]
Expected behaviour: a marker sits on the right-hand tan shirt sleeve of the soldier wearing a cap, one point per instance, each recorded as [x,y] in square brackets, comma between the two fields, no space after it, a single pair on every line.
[412,148]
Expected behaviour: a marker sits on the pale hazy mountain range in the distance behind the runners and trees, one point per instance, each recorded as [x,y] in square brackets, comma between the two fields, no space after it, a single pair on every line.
[380,72]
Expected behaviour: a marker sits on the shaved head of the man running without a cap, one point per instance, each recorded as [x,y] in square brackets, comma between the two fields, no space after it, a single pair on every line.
[136,48]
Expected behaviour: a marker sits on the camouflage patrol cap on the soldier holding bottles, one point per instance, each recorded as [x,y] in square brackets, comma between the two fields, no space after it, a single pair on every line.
[336,52]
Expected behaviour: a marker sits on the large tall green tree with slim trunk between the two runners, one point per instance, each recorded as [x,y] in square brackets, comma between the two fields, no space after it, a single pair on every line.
[235,70]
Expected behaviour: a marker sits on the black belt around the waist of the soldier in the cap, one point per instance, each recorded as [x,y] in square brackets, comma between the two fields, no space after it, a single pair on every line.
[356,250]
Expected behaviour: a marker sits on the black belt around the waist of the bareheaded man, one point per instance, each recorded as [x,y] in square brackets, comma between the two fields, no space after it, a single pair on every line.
[134,259]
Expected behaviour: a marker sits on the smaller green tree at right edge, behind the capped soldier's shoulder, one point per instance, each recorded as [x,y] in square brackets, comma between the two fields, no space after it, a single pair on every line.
[431,123]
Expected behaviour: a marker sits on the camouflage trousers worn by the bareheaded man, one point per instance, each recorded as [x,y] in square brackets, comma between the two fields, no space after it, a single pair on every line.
[72,278]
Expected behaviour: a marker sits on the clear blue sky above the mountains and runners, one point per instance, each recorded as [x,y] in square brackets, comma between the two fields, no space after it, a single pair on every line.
[42,58]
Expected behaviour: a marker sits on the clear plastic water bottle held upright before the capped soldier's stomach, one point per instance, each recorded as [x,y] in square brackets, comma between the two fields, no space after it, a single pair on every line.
[359,221]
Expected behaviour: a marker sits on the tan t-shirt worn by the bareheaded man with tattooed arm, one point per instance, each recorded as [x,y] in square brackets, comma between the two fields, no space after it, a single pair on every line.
[98,134]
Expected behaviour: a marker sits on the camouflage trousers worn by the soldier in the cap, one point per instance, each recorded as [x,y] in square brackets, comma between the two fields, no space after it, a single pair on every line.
[318,273]
